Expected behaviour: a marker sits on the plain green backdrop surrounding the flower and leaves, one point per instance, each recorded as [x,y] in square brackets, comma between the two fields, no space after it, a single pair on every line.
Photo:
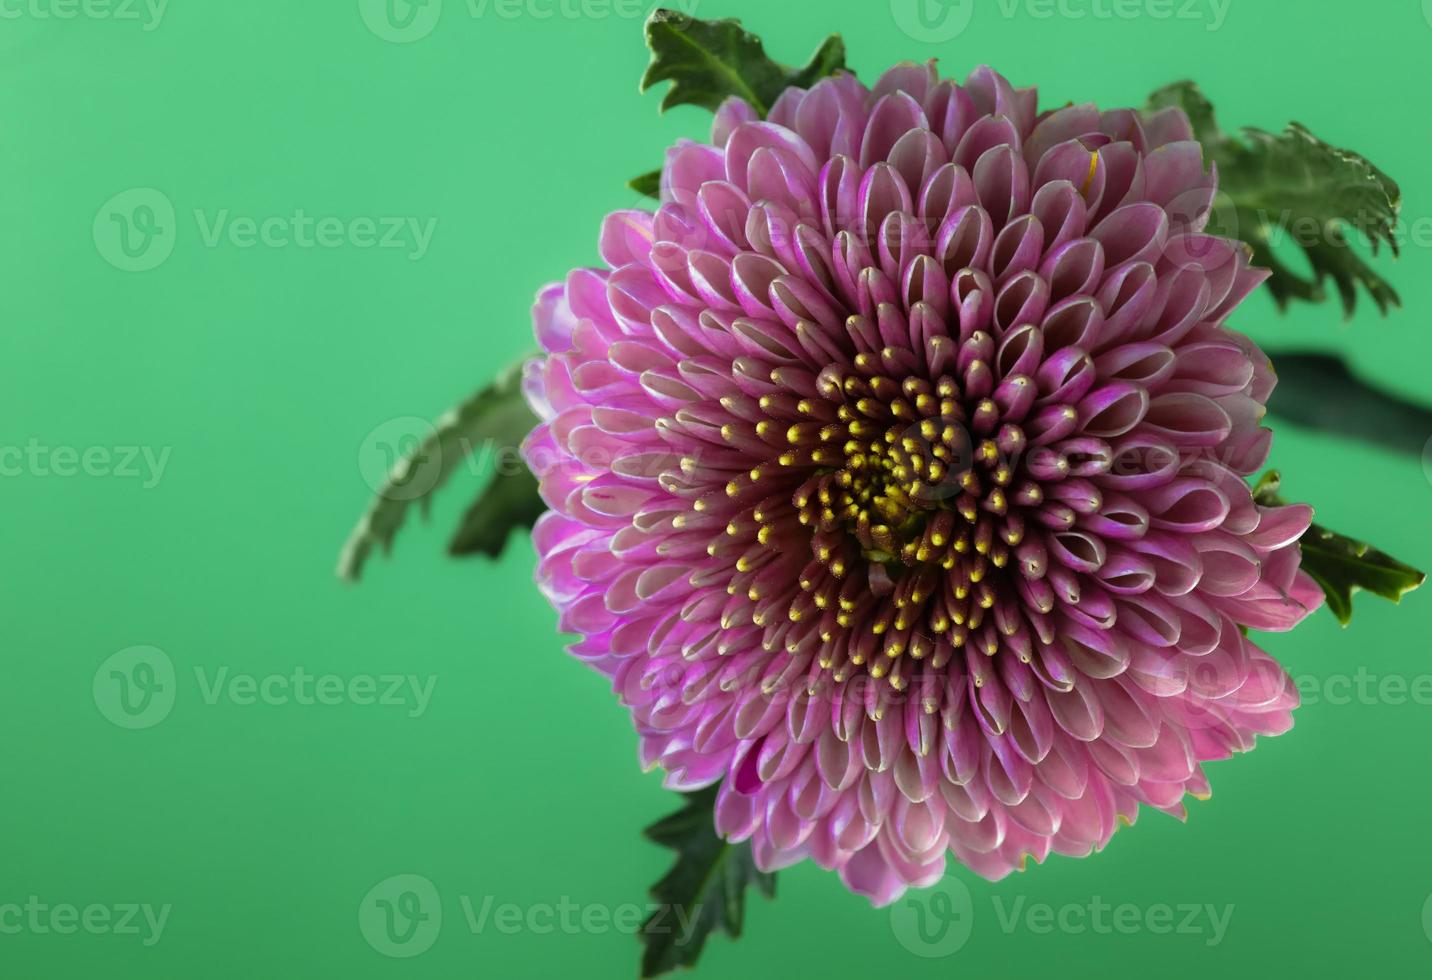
[274,378]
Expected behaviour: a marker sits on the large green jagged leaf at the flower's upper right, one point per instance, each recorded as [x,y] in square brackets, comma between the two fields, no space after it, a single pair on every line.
[1295,188]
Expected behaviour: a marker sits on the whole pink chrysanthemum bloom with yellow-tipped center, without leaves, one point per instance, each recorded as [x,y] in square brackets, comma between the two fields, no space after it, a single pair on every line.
[897,476]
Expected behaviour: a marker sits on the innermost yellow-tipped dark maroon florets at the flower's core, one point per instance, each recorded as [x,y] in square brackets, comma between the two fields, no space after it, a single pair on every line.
[919,489]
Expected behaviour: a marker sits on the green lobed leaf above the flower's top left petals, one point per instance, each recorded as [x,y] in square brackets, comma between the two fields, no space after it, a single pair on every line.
[710,61]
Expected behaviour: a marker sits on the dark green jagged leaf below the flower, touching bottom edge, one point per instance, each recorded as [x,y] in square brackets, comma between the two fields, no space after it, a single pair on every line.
[705,890]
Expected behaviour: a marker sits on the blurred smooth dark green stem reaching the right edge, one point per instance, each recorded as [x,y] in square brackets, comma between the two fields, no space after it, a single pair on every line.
[1320,392]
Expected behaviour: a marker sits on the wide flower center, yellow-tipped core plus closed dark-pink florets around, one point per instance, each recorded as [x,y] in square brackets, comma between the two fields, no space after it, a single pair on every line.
[913,486]
